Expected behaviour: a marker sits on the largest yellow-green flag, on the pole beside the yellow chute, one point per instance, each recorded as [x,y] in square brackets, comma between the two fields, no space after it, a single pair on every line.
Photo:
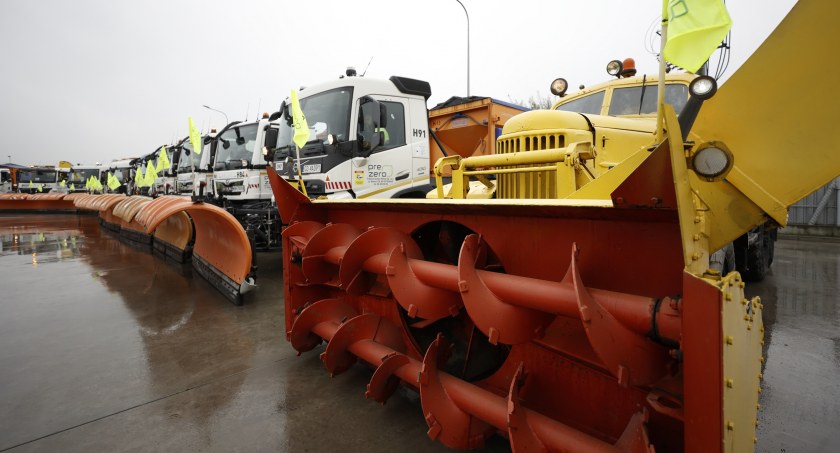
[695,29]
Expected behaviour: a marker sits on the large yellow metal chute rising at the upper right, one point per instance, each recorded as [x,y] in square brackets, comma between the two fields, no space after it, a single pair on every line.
[776,115]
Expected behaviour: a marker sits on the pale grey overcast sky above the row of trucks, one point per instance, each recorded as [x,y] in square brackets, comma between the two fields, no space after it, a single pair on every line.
[96,80]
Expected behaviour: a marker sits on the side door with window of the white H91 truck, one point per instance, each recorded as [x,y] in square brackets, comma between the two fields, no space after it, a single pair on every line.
[382,126]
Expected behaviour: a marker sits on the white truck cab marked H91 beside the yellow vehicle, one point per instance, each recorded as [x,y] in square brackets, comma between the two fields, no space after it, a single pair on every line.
[367,137]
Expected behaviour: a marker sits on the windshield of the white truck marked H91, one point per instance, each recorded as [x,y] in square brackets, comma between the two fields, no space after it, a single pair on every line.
[326,113]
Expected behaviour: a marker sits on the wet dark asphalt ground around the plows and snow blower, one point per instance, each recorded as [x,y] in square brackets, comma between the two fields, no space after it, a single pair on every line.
[104,347]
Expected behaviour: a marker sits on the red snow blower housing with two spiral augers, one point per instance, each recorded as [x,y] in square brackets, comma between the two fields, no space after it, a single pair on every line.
[585,301]
